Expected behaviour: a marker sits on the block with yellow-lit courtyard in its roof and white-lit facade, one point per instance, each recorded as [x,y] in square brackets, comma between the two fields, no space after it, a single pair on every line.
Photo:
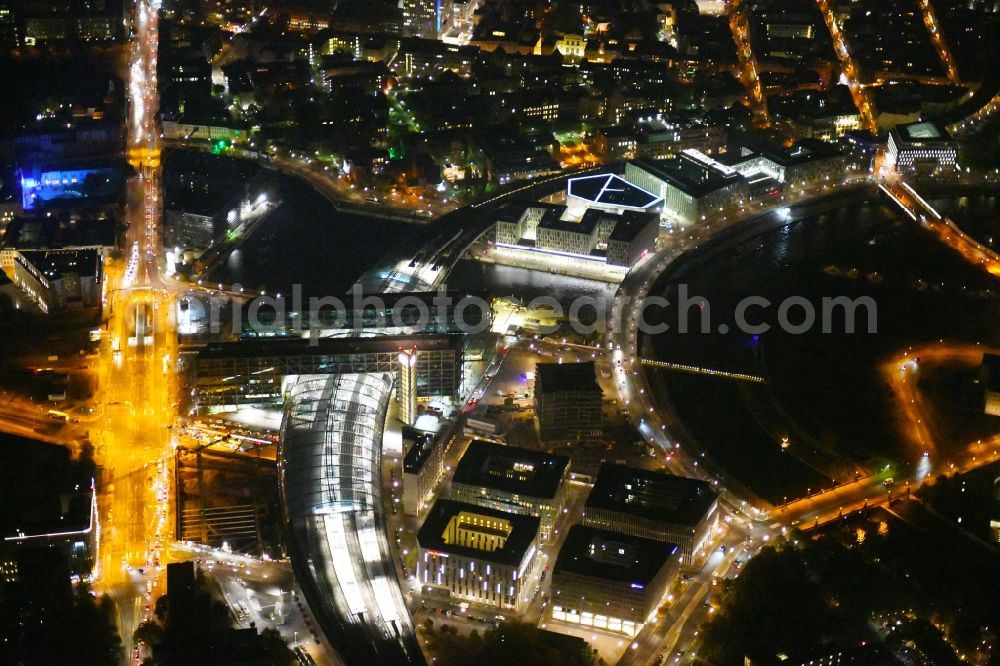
[471,554]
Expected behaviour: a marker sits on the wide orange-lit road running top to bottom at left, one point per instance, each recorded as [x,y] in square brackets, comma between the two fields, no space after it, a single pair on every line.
[136,380]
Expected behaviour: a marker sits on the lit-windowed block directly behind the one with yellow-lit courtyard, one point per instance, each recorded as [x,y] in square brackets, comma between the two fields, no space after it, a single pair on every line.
[515,480]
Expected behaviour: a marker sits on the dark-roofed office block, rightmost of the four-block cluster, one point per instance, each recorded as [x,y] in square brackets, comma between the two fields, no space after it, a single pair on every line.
[654,505]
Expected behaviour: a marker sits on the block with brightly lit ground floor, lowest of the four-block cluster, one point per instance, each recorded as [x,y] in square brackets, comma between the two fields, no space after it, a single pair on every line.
[610,580]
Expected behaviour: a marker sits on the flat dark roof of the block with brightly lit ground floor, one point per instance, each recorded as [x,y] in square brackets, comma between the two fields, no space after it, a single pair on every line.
[618,558]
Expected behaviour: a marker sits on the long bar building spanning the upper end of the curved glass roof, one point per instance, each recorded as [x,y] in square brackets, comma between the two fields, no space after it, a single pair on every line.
[227,374]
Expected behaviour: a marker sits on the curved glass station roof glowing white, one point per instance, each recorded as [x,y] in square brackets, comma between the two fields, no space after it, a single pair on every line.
[331,459]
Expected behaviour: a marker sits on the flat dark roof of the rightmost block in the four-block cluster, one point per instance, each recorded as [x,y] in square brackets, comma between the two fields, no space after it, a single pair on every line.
[651,495]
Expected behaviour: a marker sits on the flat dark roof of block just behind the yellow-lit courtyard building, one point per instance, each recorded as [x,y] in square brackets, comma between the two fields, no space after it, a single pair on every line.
[513,470]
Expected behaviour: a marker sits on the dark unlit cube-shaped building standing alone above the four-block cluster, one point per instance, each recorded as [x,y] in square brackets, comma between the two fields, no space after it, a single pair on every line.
[567,401]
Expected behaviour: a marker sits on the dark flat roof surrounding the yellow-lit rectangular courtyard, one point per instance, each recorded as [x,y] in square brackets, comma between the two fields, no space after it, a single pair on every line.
[522,533]
